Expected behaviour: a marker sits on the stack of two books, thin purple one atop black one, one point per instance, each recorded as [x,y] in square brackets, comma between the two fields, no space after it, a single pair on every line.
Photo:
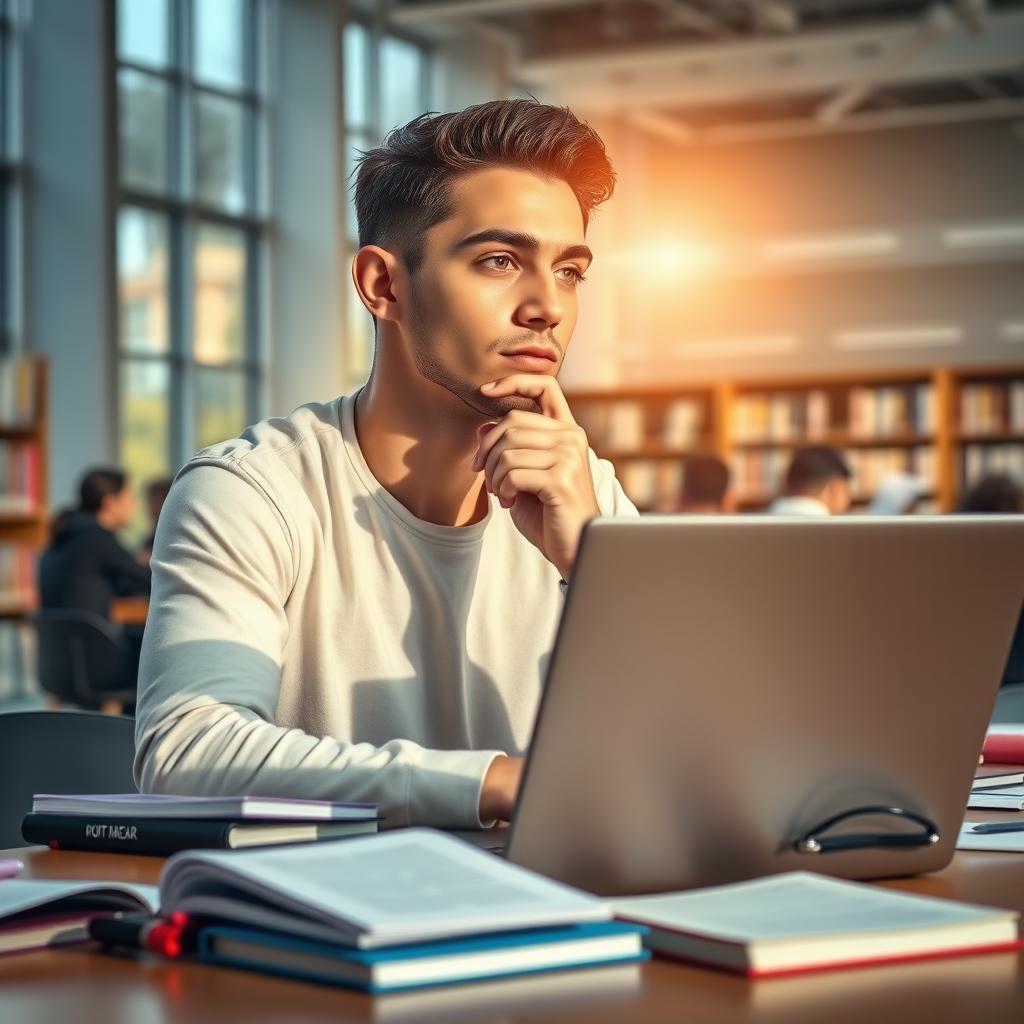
[132,823]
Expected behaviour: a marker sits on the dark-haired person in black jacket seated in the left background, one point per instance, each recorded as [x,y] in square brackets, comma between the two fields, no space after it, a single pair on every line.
[87,567]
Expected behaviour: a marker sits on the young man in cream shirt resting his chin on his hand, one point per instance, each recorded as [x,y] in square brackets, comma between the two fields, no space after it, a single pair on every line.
[359,603]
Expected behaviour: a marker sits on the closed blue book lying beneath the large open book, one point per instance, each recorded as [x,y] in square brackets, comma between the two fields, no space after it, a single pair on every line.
[444,963]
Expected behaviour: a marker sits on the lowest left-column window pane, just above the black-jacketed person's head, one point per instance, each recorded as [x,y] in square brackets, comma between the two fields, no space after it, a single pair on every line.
[146,389]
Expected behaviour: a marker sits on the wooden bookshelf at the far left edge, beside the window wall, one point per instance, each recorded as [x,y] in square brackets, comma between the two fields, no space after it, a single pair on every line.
[24,504]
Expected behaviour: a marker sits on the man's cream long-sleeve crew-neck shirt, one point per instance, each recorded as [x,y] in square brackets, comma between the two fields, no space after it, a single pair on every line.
[310,637]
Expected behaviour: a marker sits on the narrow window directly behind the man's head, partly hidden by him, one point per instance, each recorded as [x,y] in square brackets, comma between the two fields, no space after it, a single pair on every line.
[387,84]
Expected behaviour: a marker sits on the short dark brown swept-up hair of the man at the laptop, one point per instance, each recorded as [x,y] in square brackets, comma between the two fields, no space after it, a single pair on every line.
[404,187]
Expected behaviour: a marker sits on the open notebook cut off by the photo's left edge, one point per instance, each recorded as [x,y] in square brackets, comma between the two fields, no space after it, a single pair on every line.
[37,913]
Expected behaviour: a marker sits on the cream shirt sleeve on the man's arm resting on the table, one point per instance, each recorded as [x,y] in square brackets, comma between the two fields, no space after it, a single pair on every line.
[210,673]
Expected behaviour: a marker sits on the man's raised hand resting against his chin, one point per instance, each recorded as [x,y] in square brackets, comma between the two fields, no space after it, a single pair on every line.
[538,466]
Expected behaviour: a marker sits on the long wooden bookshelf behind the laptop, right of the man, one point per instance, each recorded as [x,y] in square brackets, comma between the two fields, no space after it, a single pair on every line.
[945,424]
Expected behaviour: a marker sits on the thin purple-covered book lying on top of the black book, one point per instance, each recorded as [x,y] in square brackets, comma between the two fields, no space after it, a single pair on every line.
[137,805]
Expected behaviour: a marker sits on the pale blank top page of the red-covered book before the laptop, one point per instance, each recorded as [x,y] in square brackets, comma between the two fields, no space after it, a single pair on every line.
[796,905]
